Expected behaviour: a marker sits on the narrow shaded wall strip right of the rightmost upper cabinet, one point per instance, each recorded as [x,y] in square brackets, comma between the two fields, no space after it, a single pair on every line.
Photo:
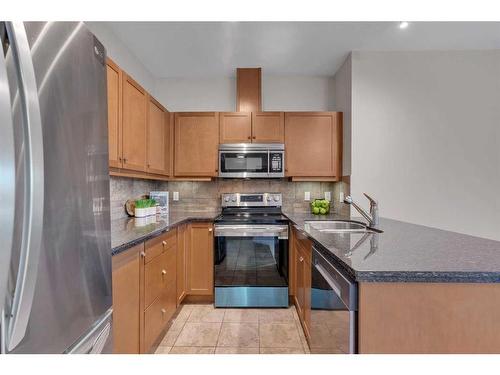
[343,95]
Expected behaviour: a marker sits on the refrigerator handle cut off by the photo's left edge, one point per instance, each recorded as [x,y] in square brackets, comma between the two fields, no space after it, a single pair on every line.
[7,178]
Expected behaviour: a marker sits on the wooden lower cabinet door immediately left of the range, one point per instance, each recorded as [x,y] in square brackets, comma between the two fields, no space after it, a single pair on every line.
[200,259]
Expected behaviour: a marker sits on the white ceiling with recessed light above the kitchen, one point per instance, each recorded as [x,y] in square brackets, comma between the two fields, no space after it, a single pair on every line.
[195,49]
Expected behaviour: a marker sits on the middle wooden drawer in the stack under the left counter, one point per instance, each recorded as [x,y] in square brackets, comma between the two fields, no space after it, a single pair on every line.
[158,275]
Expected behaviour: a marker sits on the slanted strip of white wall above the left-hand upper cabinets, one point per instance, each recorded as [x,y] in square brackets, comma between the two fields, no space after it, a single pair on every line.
[121,55]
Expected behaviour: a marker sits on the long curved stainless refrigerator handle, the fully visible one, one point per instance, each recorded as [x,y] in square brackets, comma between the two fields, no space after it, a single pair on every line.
[18,316]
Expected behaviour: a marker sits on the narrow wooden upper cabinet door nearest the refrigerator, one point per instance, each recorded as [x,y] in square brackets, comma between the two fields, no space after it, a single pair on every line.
[114,81]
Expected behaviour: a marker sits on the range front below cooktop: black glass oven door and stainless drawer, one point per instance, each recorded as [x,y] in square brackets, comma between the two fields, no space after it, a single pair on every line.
[251,265]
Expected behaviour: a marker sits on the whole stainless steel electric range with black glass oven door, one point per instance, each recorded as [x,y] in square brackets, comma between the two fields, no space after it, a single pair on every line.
[251,251]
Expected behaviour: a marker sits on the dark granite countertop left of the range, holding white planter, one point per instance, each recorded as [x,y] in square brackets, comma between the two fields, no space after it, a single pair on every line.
[129,231]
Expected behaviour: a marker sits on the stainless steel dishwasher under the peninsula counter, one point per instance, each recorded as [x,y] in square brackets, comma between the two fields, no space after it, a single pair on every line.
[334,302]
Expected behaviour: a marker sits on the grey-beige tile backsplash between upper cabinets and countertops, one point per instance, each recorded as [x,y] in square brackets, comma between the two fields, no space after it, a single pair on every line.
[205,195]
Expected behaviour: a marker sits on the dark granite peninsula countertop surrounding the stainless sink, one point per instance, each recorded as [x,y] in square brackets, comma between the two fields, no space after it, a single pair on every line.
[407,252]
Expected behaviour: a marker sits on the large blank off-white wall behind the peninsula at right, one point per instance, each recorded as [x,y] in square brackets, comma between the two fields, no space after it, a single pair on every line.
[426,137]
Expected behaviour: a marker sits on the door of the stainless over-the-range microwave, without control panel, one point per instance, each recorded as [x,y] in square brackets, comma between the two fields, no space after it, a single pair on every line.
[244,164]
